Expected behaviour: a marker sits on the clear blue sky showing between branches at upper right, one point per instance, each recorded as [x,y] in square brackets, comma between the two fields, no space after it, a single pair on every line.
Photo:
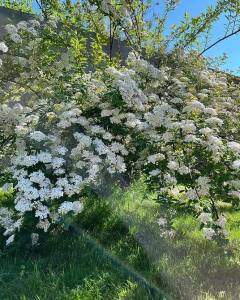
[230,46]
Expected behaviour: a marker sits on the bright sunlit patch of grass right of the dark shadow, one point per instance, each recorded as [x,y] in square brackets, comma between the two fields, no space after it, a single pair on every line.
[189,266]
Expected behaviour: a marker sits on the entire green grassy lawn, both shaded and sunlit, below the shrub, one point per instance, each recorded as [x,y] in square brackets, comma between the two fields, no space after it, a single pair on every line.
[116,252]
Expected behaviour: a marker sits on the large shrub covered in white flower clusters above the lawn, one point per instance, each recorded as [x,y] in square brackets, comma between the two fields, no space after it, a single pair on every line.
[171,123]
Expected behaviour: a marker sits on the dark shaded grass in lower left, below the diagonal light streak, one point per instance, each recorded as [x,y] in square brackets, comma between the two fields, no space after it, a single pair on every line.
[66,268]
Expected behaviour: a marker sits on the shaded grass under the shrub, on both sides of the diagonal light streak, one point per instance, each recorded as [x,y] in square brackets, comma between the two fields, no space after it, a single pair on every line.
[68,266]
